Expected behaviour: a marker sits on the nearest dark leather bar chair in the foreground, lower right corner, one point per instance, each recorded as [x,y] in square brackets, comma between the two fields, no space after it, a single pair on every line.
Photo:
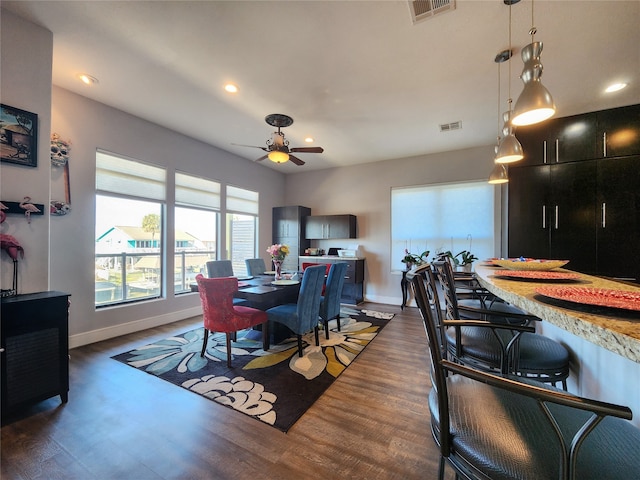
[489,426]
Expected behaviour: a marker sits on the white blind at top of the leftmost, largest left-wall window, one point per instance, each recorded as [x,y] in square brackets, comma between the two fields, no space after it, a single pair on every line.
[116,174]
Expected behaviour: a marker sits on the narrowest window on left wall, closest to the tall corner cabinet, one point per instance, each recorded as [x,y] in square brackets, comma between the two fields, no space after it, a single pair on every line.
[242,227]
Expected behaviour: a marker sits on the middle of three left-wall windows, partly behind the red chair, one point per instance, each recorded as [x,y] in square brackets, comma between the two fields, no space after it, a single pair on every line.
[196,227]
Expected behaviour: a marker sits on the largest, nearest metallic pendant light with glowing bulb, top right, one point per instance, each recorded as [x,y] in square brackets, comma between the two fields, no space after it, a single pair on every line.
[535,103]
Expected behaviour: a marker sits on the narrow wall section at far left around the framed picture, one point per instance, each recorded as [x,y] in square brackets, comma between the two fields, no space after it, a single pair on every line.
[25,83]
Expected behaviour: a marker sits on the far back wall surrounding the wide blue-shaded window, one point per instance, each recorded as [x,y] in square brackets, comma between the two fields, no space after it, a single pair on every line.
[365,191]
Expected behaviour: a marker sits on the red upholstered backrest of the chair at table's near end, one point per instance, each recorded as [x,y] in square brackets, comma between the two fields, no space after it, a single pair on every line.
[216,295]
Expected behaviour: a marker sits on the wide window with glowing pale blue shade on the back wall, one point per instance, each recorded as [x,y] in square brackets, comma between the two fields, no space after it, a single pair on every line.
[438,218]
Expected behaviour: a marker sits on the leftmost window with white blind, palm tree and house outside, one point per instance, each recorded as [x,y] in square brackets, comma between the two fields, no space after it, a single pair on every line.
[130,199]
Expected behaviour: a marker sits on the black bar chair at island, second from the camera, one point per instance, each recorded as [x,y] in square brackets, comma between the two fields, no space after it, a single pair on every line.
[504,347]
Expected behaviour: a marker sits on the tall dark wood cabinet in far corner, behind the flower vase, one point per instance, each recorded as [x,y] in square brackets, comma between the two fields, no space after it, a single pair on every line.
[288,226]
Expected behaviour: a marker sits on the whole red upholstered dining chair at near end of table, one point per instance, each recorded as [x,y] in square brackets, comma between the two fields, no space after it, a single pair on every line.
[221,315]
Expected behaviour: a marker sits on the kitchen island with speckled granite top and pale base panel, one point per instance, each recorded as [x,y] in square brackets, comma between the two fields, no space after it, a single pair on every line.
[604,343]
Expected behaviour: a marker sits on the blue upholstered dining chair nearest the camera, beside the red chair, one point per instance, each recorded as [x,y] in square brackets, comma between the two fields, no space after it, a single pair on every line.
[303,316]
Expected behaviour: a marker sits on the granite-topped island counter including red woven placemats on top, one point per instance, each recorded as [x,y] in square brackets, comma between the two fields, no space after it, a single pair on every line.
[596,318]
